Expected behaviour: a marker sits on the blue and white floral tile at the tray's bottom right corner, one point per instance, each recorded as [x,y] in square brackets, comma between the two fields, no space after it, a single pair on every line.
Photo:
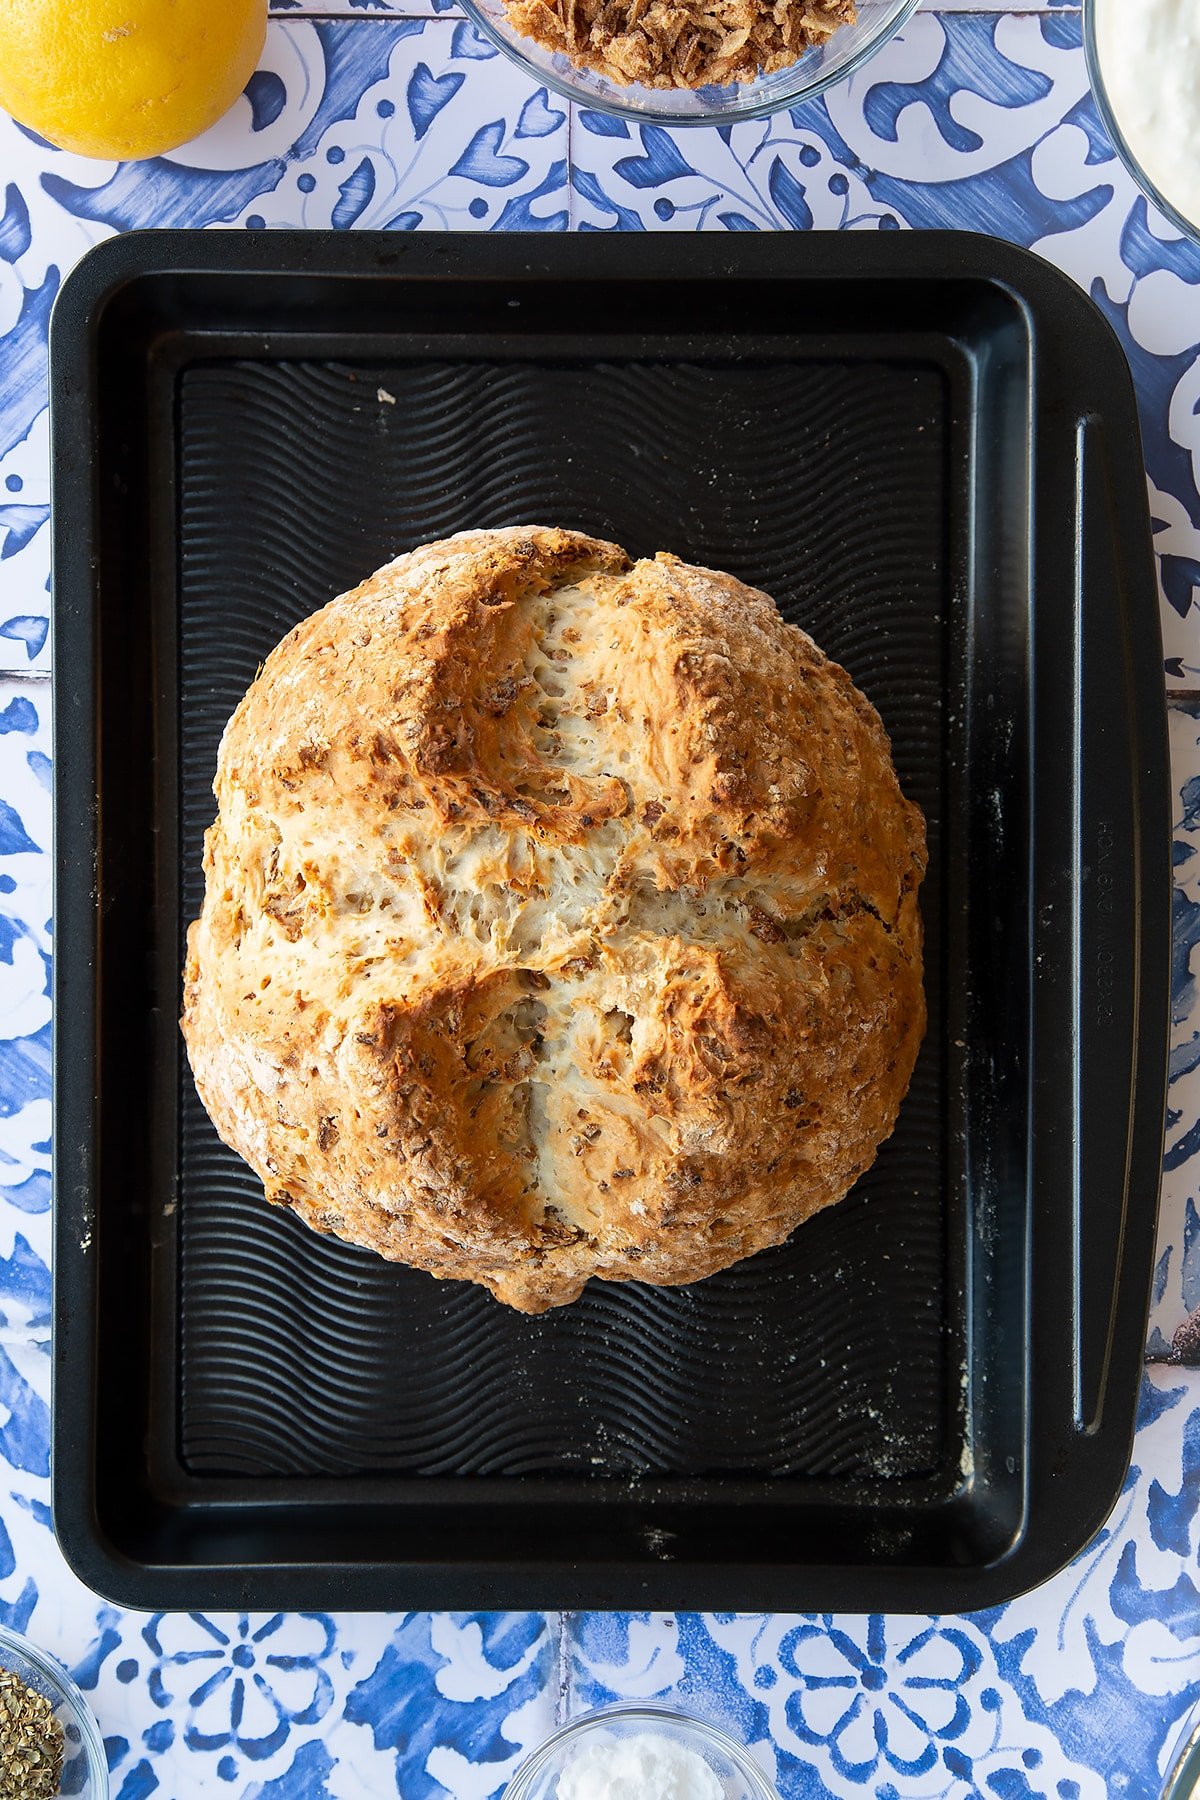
[1073,1691]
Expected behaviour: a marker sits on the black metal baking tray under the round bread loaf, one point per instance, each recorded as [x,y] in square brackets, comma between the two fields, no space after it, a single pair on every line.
[926,449]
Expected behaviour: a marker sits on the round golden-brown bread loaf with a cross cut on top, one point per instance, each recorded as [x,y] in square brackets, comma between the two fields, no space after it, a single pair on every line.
[560,921]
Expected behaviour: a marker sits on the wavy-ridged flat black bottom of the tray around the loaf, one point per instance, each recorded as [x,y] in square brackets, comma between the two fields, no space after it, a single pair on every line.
[827,485]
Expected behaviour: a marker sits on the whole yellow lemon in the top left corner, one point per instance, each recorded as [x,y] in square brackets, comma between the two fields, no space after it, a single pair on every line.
[127,78]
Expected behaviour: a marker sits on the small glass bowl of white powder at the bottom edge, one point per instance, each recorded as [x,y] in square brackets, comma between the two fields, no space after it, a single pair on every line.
[640,1752]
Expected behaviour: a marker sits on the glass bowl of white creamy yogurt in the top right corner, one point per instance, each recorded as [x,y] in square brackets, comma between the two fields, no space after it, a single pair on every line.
[1145,69]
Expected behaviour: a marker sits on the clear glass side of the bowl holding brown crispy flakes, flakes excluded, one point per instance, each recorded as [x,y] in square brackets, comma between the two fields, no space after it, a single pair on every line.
[845,53]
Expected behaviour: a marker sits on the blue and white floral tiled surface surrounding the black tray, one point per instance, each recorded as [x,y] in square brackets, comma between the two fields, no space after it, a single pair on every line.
[386,114]
